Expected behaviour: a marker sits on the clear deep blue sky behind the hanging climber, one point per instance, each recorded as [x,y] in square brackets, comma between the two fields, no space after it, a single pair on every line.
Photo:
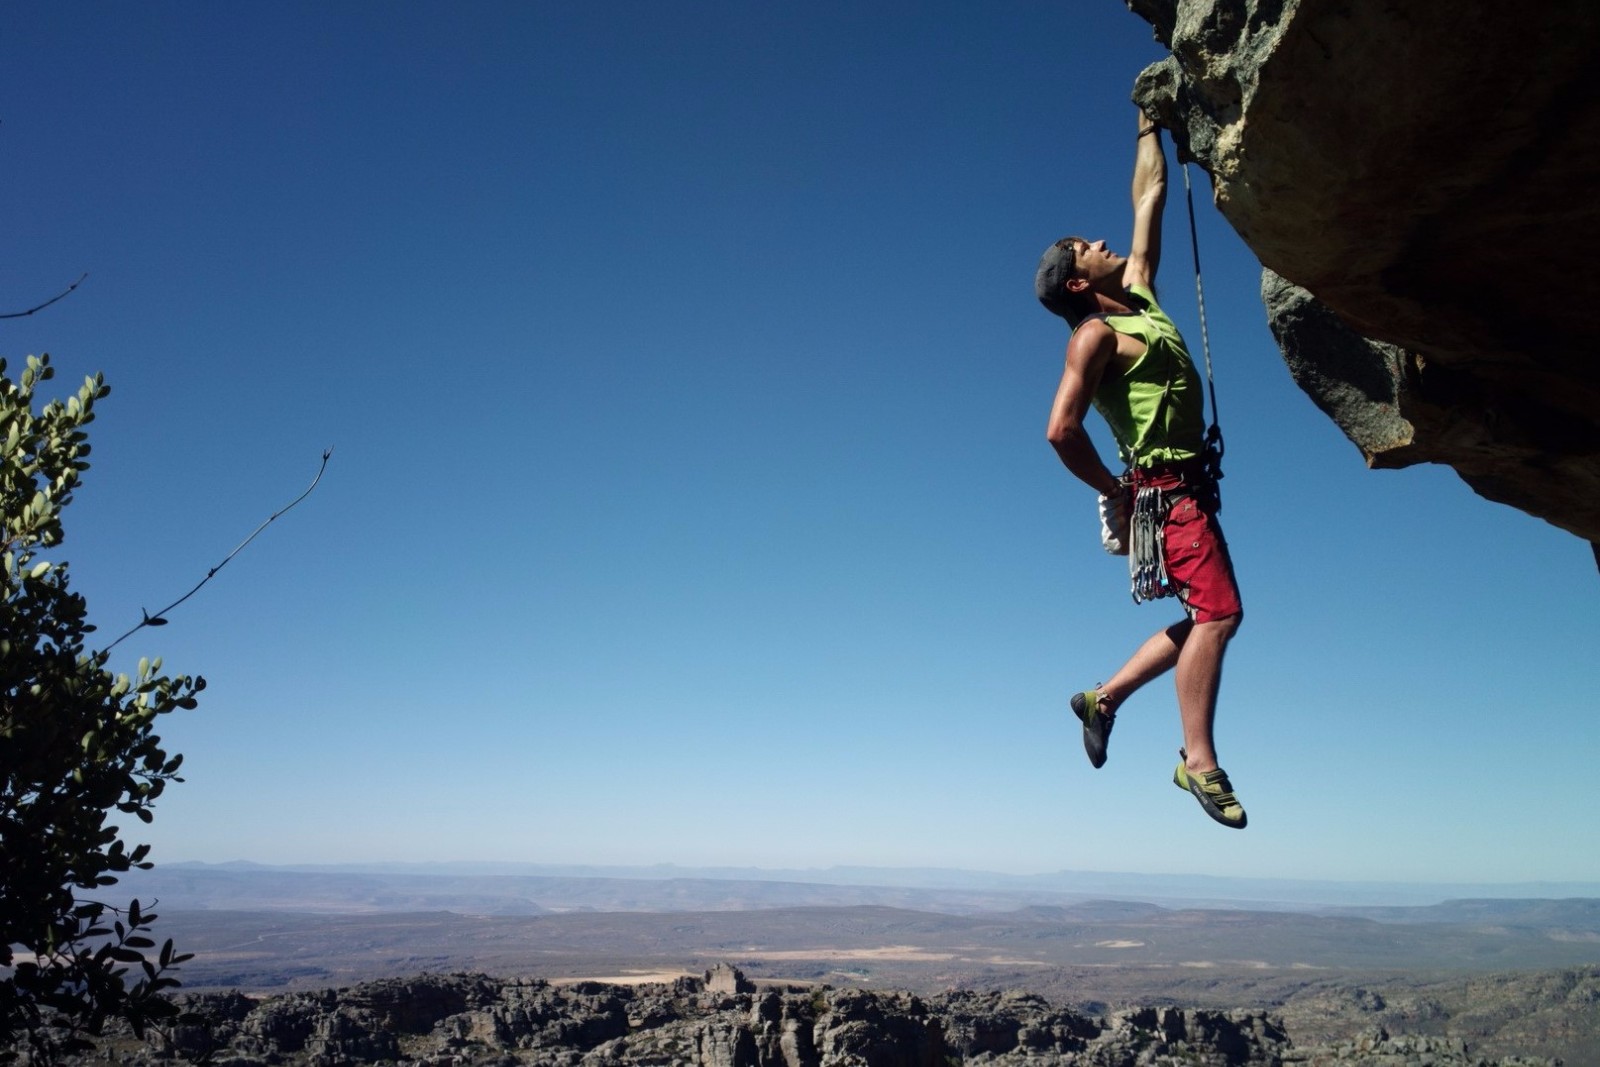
[690,498]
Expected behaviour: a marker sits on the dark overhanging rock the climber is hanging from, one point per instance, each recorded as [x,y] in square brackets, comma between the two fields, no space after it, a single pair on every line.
[1417,177]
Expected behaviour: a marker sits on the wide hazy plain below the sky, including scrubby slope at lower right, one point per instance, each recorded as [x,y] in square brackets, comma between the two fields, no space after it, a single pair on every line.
[1506,975]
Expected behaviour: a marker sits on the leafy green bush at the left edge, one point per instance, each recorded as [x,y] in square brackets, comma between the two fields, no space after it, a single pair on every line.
[79,745]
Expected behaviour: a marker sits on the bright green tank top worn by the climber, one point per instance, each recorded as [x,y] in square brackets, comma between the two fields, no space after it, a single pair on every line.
[1156,409]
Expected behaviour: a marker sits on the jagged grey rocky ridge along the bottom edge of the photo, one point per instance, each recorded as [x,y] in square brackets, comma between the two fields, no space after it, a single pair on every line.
[471,1020]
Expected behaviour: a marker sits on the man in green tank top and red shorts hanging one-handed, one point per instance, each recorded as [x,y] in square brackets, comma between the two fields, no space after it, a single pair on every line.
[1130,362]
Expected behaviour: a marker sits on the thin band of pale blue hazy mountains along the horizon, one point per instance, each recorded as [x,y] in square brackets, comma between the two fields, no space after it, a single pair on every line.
[540,889]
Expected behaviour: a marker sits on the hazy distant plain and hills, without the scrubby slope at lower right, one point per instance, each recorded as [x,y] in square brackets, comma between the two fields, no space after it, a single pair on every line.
[268,927]
